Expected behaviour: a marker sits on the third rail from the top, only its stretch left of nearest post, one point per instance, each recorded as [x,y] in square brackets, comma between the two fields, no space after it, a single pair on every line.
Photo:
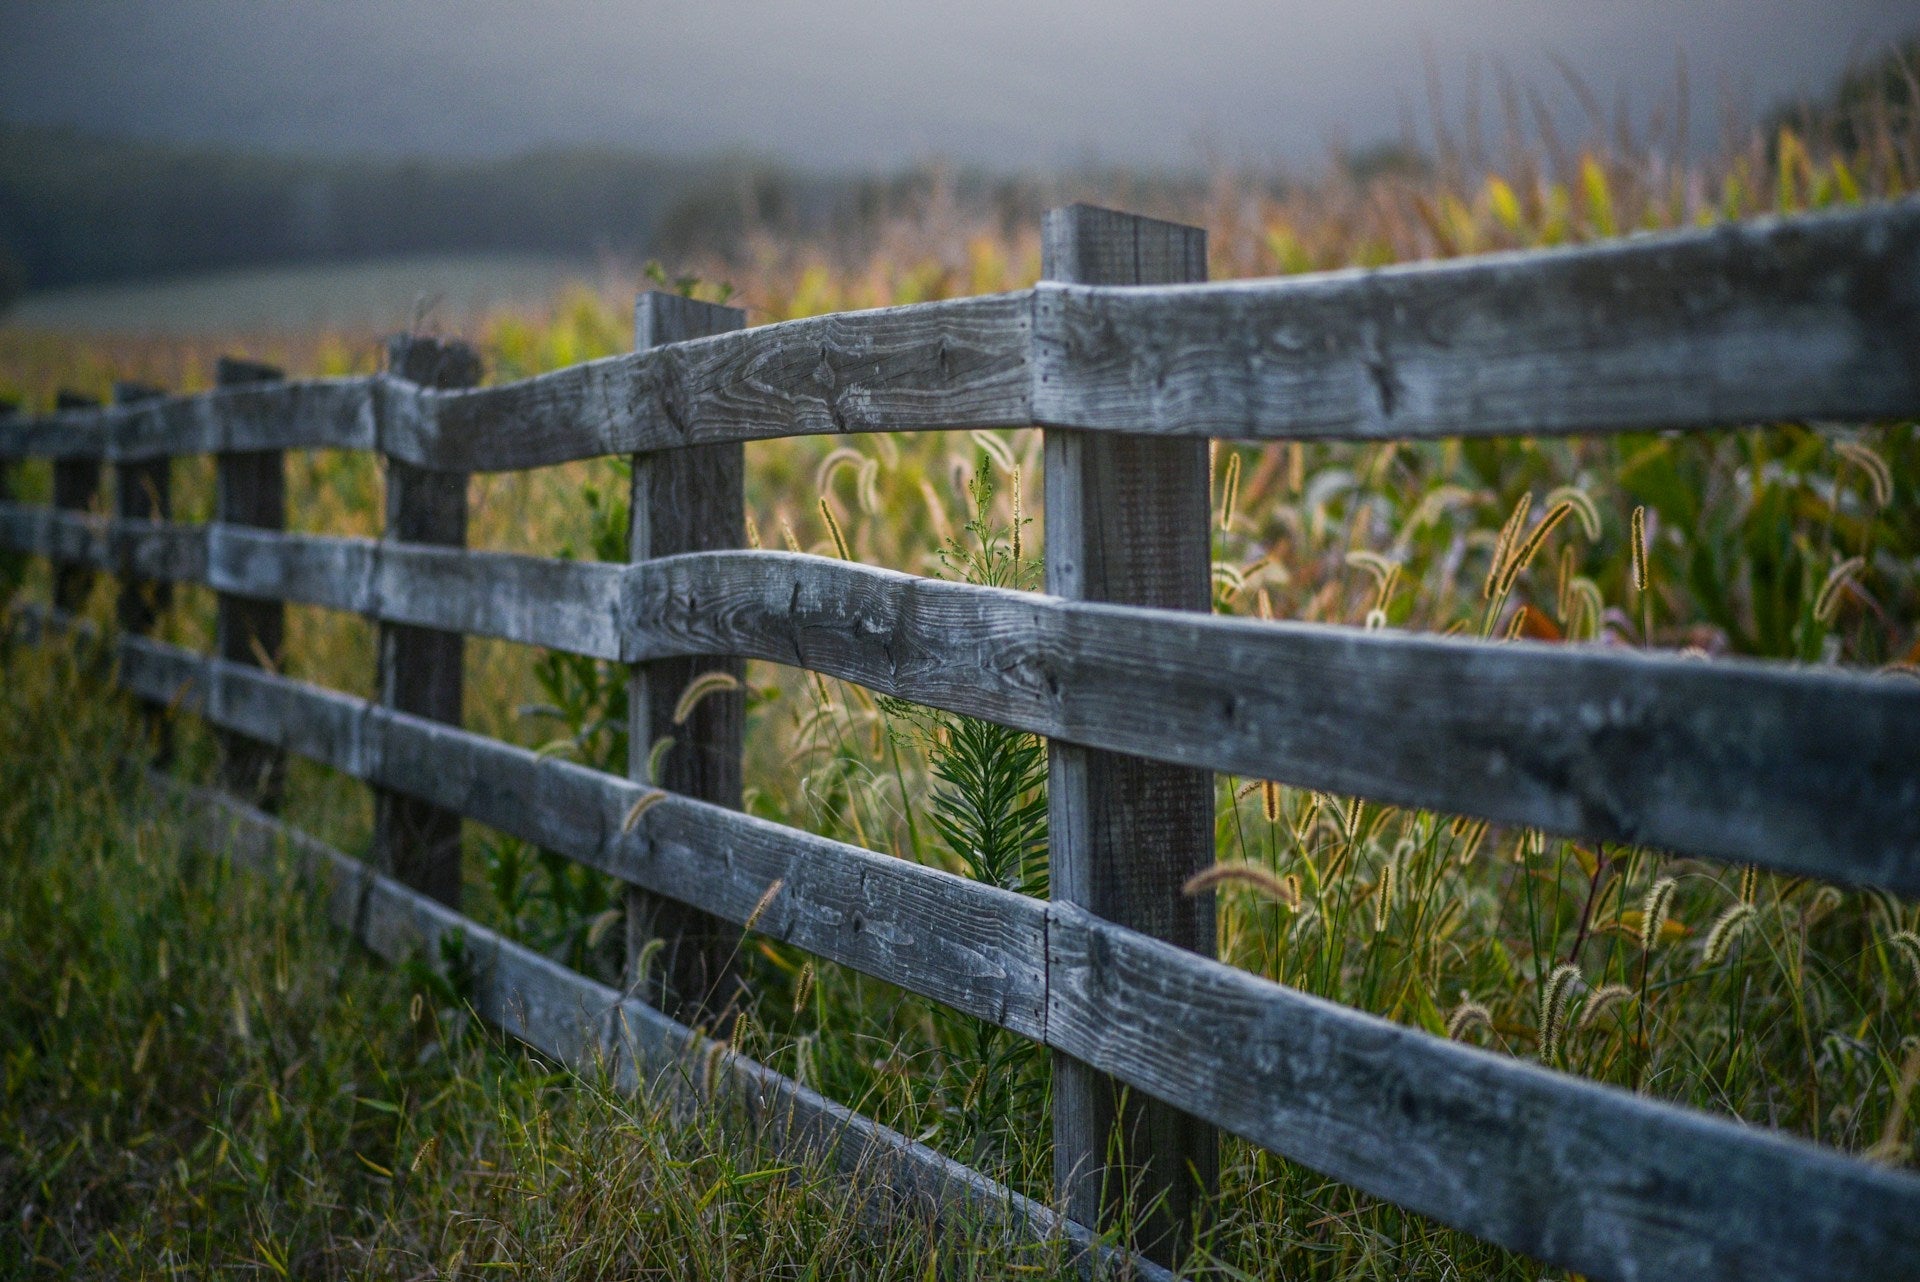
[971,947]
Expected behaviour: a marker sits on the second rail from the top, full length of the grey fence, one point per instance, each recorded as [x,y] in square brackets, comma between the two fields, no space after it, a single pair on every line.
[1792,769]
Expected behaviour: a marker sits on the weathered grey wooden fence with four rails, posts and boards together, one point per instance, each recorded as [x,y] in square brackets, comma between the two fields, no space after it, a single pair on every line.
[1130,364]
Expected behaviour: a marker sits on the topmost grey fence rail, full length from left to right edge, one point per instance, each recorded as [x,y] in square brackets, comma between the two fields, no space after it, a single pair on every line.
[1767,321]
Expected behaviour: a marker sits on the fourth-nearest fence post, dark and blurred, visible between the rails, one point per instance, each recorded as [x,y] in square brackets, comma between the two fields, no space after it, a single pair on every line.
[251,490]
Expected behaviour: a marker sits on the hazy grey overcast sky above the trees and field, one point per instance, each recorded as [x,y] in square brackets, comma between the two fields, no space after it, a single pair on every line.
[878,83]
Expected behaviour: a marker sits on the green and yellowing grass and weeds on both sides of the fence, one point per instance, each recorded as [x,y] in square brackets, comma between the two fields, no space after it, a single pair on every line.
[304,1091]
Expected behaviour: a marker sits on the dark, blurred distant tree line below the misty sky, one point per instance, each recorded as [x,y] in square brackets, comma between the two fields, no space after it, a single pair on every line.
[82,208]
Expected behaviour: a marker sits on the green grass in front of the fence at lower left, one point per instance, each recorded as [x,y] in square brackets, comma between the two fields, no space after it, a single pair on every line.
[203,1080]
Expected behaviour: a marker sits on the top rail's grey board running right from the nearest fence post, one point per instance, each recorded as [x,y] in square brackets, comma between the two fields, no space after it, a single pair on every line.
[1812,318]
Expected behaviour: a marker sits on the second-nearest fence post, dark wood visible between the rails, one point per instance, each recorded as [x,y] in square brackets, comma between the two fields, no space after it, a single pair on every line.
[686,500]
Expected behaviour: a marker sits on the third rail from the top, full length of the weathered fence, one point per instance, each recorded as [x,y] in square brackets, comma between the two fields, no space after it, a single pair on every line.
[1570,1172]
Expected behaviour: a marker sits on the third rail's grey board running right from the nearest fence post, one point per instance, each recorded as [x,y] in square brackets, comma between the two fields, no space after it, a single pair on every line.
[1566,1172]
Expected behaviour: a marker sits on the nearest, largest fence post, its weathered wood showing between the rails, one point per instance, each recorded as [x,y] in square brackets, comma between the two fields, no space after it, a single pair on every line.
[1128,521]
